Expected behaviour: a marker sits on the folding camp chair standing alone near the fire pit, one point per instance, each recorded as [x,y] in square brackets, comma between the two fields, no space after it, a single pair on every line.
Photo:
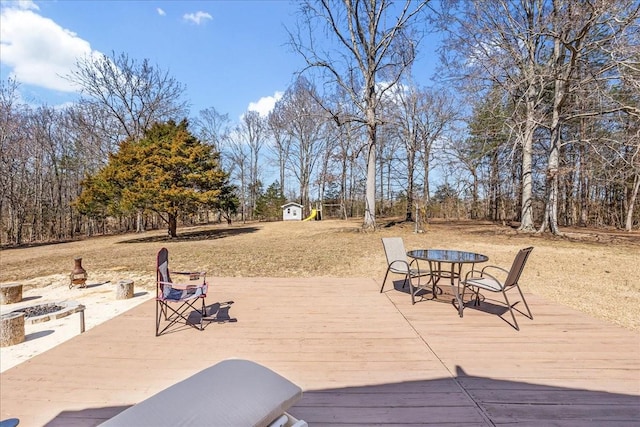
[176,302]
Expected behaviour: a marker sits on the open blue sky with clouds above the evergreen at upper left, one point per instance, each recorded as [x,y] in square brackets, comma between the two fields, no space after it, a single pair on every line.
[231,55]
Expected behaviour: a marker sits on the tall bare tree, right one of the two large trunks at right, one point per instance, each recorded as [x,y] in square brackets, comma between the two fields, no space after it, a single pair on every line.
[579,32]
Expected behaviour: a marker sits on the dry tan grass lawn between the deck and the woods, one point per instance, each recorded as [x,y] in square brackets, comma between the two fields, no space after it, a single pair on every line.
[594,272]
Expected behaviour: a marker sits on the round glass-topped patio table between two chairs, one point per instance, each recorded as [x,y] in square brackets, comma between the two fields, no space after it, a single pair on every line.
[437,257]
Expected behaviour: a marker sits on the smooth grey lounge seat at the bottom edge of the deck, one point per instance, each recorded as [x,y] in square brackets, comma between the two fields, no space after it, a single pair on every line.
[233,392]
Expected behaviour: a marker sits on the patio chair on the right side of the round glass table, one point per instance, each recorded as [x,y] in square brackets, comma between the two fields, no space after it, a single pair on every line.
[483,280]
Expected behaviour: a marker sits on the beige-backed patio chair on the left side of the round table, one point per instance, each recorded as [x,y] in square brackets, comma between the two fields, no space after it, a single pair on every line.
[398,263]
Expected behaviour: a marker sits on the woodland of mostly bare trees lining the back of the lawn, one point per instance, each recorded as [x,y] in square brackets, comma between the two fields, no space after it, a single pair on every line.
[534,118]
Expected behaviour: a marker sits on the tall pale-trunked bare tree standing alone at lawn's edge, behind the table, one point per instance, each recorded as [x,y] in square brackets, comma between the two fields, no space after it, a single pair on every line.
[373,52]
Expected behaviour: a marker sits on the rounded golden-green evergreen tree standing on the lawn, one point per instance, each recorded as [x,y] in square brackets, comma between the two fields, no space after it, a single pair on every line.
[168,171]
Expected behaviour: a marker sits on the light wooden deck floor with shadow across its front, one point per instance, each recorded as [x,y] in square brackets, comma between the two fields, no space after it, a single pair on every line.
[361,357]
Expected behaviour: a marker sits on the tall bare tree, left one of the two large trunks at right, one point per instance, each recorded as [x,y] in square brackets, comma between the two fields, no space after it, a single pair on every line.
[499,42]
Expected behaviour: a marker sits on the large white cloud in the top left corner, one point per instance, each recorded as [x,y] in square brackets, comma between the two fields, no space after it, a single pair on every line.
[38,50]
